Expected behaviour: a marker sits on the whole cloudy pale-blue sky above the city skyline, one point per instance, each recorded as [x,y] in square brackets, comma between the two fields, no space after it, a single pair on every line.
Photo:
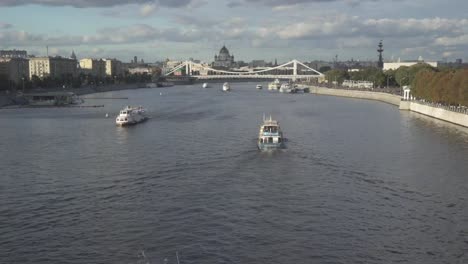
[251,29]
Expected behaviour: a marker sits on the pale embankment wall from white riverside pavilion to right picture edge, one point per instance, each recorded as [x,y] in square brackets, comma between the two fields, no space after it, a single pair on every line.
[435,112]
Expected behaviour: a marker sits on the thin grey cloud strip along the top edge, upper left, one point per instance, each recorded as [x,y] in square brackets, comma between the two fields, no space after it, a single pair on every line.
[94,3]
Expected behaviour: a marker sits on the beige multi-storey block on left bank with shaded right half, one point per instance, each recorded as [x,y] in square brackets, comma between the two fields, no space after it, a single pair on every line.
[51,66]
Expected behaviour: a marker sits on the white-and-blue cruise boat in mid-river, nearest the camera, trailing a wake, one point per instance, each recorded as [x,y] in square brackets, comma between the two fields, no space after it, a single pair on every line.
[270,135]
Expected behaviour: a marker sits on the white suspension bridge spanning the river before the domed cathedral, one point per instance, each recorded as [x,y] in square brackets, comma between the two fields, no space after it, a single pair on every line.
[292,70]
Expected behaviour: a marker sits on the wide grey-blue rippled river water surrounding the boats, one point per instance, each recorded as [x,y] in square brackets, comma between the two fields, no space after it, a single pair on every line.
[358,182]
